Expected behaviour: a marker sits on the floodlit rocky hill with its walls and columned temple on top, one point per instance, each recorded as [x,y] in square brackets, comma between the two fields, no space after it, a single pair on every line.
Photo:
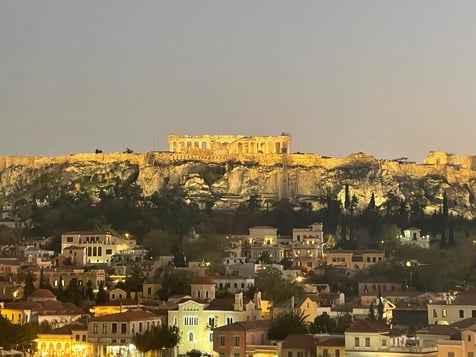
[227,170]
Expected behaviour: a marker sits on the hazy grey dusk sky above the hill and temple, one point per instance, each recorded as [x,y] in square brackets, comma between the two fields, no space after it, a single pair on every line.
[389,78]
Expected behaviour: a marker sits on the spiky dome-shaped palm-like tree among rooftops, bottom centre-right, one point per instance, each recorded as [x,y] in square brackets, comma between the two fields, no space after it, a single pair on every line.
[289,322]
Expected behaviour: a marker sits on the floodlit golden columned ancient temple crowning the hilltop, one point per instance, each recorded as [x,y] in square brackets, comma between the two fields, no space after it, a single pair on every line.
[234,144]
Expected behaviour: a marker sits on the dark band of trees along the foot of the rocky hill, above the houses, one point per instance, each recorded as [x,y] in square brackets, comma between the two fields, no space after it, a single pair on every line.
[124,209]
